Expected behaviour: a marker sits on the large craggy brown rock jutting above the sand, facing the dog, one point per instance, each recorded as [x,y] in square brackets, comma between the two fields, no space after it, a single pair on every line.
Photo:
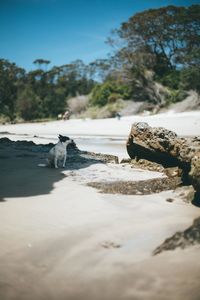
[163,146]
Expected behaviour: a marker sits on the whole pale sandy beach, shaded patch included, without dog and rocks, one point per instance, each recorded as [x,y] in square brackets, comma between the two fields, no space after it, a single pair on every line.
[62,239]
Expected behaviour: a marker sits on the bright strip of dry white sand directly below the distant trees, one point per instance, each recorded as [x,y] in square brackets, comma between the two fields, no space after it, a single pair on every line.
[186,123]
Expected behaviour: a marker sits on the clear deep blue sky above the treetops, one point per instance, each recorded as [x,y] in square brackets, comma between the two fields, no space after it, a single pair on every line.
[64,30]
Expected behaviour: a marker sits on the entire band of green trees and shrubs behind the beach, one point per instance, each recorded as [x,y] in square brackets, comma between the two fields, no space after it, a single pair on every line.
[157,46]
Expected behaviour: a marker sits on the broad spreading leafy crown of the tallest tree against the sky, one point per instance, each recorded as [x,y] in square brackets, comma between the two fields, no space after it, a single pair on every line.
[159,39]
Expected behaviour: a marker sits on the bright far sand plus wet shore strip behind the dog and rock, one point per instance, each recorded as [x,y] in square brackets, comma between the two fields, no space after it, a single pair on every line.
[102,135]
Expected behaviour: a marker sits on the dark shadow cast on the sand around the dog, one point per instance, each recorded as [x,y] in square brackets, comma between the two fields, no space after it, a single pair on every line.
[21,174]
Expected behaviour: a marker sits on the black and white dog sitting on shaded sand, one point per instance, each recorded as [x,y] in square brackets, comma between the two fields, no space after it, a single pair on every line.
[59,152]
